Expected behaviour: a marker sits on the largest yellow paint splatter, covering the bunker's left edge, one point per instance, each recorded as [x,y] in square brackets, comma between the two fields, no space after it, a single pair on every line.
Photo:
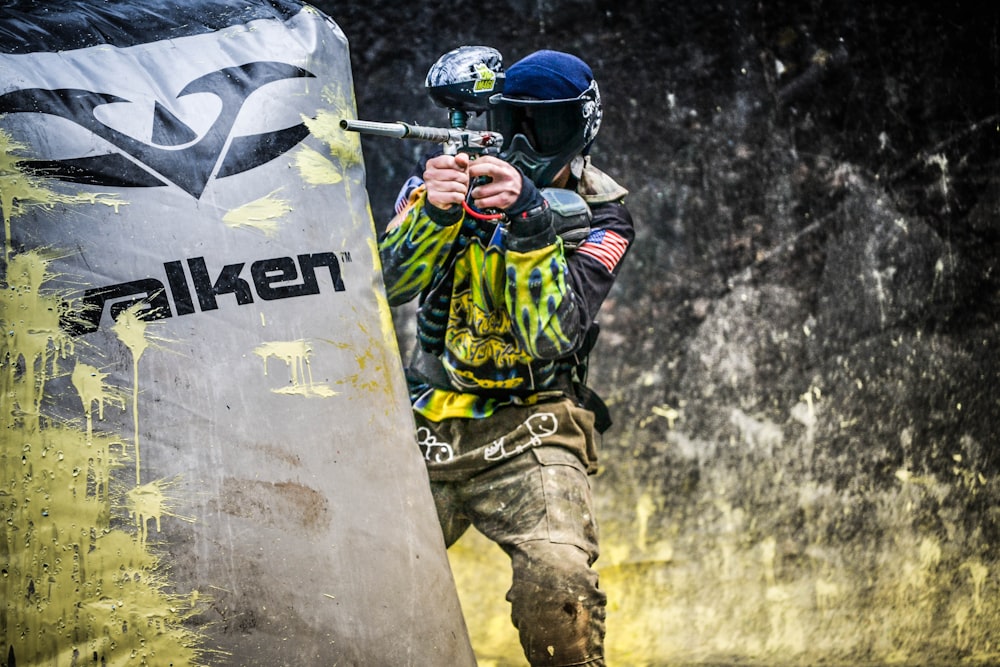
[78,584]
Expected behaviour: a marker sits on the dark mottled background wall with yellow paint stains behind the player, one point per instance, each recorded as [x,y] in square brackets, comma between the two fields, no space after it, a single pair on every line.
[802,353]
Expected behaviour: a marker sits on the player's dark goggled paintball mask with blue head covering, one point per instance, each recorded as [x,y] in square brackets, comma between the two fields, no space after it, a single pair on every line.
[542,126]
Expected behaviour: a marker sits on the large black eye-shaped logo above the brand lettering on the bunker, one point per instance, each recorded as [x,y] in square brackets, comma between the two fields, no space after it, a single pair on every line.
[175,154]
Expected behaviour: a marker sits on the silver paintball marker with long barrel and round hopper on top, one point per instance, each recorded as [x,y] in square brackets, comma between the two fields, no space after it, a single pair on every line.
[461,80]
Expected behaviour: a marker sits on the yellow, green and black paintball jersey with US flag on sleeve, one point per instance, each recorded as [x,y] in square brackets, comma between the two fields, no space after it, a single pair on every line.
[506,316]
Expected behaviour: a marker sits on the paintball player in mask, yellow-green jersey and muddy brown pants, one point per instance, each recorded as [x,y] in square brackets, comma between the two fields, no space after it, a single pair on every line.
[510,258]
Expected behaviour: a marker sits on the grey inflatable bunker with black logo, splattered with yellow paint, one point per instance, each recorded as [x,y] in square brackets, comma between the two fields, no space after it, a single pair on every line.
[207,452]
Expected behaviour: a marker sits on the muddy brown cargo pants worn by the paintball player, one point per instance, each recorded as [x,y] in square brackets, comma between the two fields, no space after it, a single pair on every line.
[537,506]
